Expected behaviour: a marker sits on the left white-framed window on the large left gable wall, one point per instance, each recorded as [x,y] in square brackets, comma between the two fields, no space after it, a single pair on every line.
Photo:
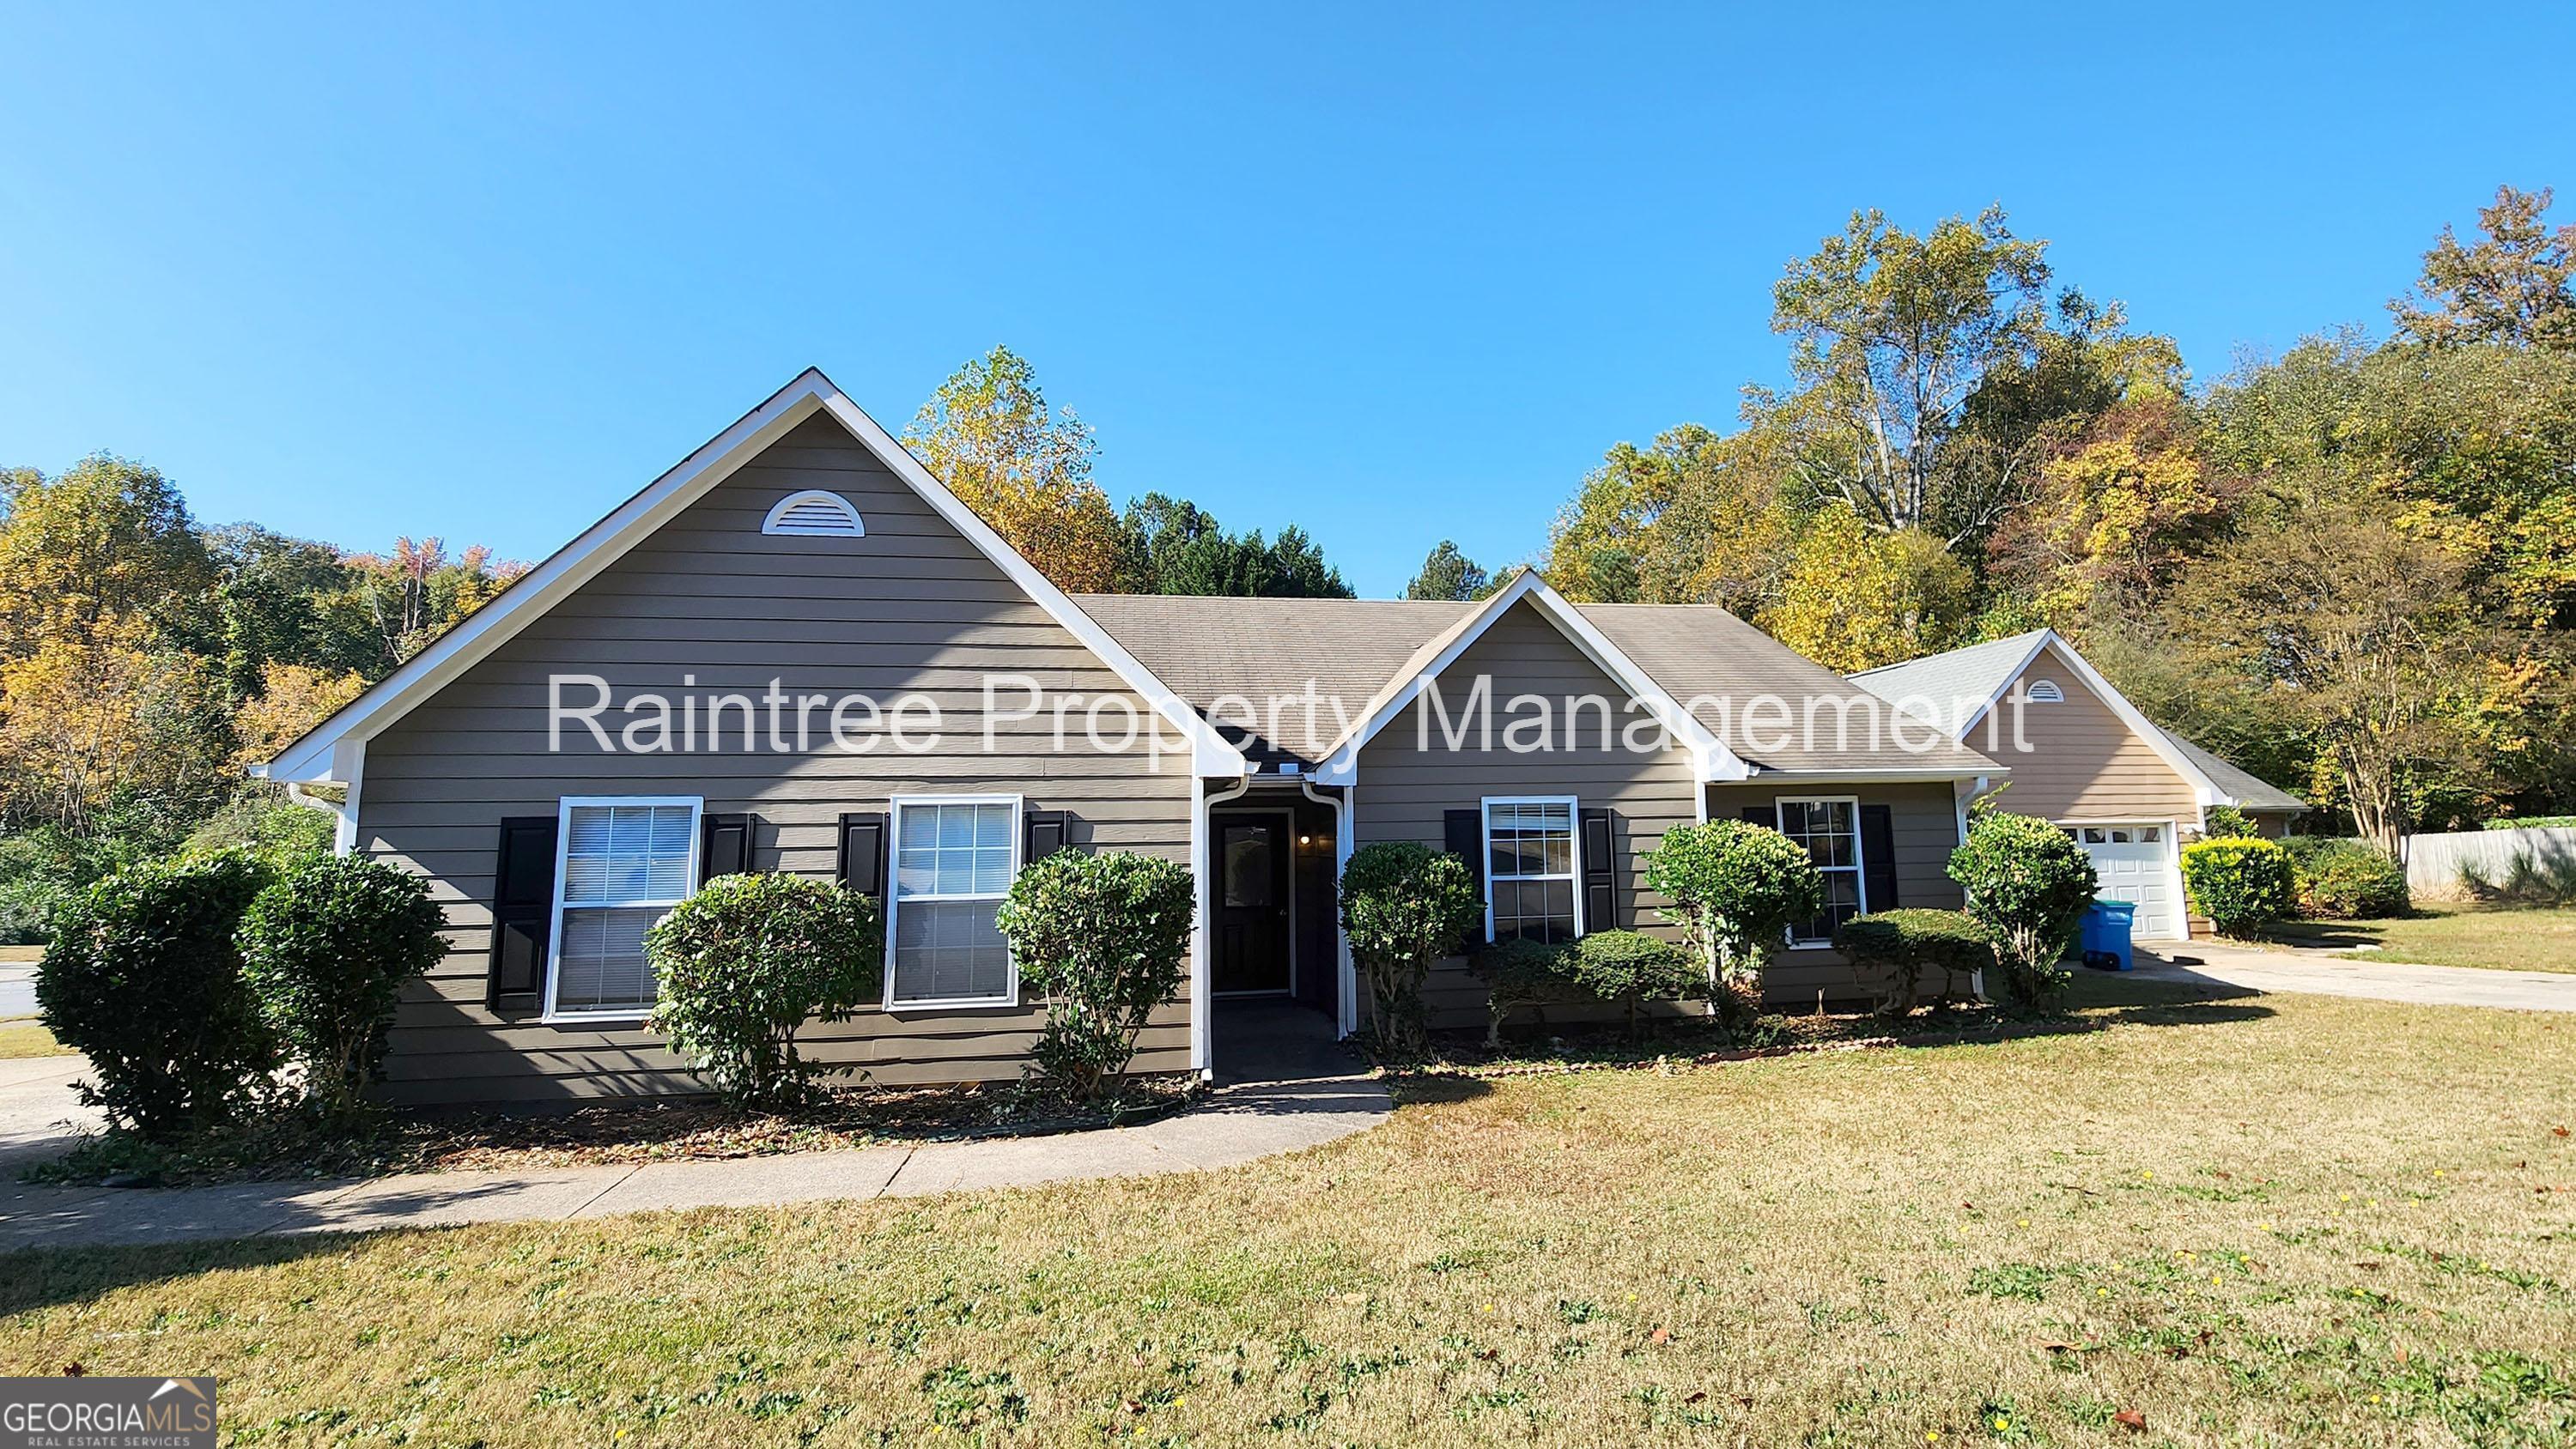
[620,866]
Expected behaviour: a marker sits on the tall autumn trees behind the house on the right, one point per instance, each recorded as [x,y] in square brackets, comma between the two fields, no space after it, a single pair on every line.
[2351,568]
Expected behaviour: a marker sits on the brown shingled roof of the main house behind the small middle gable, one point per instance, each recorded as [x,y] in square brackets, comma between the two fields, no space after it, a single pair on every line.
[1364,652]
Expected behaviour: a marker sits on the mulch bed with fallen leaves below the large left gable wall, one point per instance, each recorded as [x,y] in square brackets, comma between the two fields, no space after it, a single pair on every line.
[287,1147]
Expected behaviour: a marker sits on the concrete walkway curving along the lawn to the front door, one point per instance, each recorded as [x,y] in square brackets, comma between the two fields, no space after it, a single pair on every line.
[1284,1090]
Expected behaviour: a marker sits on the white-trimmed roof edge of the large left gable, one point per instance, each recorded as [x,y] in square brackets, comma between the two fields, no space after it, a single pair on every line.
[328,750]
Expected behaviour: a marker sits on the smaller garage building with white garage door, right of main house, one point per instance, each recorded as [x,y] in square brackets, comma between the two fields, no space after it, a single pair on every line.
[2088,761]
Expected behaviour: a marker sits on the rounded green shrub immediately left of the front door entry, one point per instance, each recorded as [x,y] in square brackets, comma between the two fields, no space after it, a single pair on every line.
[1104,938]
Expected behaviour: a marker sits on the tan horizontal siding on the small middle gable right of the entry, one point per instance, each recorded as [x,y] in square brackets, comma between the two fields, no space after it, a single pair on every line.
[1405,791]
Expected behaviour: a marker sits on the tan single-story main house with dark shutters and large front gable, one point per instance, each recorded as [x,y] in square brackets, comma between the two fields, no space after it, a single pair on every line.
[800,652]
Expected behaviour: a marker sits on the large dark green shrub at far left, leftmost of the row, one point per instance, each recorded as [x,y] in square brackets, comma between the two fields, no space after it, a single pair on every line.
[146,982]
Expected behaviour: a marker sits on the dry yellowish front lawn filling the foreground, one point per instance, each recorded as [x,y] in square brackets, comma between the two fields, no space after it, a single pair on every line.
[2289,1221]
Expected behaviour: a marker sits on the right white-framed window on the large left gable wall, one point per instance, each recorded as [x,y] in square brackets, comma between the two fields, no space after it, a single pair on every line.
[954,858]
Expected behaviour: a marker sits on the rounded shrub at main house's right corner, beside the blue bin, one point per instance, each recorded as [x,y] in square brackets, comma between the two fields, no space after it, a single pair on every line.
[2029,887]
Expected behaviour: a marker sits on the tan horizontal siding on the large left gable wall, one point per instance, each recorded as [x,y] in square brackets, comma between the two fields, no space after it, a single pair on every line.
[913,606]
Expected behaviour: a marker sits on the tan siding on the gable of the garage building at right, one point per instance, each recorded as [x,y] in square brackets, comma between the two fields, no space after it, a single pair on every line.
[2083,763]
